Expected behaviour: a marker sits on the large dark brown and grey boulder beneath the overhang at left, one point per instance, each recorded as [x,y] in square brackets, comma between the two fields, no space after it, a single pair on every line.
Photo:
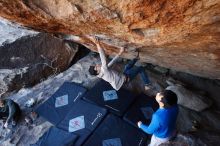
[30,60]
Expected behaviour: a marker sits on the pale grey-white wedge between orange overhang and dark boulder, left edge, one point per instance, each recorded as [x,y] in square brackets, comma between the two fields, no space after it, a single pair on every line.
[9,32]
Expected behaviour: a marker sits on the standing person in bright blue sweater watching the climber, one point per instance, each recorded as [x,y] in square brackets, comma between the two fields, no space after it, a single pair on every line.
[163,122]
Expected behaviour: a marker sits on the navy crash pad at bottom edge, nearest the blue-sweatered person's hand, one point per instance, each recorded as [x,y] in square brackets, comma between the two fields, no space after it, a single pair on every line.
[115,131]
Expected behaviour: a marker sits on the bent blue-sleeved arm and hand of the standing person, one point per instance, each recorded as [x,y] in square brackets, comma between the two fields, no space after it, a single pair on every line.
[154,125]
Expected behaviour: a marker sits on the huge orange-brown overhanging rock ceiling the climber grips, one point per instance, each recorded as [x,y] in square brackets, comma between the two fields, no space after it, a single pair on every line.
[180,34]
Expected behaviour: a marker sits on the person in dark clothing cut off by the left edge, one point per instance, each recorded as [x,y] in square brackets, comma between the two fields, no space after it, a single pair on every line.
[9,111]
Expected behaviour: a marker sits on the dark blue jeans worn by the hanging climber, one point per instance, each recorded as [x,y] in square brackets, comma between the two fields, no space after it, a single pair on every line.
[132,71]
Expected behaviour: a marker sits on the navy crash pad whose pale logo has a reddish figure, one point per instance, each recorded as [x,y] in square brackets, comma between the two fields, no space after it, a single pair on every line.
[92,115]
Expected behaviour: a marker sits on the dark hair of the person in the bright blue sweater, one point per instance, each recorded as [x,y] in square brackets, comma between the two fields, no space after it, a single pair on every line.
[169,98]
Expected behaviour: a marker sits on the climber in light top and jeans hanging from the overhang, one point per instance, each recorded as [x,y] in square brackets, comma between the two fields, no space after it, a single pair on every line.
[115,78]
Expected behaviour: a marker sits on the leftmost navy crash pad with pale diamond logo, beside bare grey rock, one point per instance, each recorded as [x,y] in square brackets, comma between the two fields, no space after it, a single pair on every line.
[49,111]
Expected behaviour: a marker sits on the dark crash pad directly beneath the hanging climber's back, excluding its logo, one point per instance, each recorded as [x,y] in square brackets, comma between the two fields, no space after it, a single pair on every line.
[117,106]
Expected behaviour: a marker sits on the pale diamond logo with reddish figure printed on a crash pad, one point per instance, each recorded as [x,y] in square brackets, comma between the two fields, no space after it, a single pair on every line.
[76,124]
